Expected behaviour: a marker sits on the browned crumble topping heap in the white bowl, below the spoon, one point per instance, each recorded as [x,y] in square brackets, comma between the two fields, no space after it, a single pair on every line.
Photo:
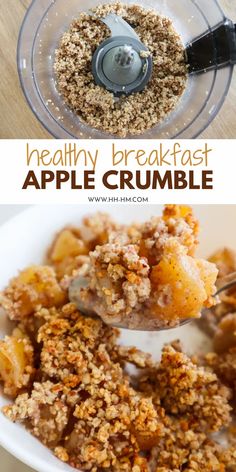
[97,417]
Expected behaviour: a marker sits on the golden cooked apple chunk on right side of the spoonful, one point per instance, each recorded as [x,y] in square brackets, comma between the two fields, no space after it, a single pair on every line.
[181,287]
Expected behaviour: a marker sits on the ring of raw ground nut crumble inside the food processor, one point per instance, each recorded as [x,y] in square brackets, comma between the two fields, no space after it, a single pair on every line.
[96,106]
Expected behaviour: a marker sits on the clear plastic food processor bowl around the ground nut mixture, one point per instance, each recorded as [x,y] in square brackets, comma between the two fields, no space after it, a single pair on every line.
[41,31]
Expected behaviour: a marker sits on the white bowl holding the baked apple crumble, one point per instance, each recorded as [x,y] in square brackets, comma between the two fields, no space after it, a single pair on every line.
[23,241]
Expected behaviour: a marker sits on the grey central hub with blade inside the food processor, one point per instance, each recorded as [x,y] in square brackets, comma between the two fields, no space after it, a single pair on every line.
[122,63]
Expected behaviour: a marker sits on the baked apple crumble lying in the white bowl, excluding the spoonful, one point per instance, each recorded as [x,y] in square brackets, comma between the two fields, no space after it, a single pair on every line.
[68,377]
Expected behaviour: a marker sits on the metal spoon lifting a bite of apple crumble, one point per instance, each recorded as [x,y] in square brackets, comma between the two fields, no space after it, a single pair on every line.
[134,321]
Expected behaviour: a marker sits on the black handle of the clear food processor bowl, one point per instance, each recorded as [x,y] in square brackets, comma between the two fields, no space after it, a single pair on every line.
[216,48]
